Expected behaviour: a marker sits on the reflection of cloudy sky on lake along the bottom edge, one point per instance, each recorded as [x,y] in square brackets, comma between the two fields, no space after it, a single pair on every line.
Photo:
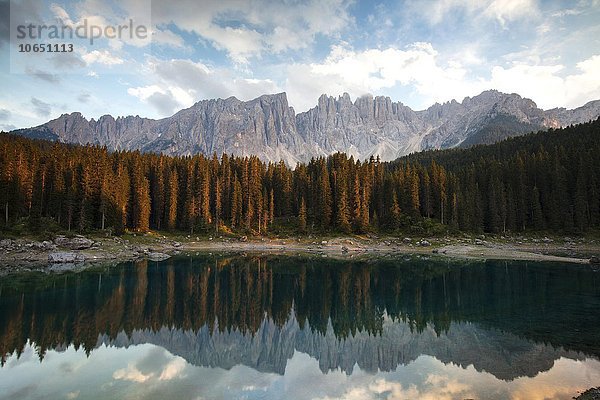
[151,372]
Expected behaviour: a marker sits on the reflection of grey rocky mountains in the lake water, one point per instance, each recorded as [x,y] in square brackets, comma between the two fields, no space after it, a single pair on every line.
[504,355]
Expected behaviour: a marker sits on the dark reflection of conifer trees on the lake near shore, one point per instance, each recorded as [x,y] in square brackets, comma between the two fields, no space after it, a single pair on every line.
[557,305]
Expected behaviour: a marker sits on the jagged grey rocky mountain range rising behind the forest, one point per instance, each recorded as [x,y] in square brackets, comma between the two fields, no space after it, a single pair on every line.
[269,128]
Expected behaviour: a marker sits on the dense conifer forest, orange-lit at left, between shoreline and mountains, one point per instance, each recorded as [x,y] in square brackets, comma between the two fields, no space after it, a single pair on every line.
[547,180]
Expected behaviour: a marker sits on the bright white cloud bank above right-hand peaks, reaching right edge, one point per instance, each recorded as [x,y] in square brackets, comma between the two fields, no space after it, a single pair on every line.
[422,69]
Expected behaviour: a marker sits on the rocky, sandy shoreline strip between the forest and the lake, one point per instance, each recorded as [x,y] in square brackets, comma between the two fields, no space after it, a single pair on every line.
[63,253]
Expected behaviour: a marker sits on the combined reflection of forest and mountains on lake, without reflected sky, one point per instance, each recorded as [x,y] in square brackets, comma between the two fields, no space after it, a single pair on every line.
[510,319]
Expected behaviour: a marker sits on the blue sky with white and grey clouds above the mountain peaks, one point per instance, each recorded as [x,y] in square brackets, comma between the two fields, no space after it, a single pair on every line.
[416,52]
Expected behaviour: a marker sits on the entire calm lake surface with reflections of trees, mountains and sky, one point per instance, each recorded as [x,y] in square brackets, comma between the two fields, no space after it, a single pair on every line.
[276,327]
